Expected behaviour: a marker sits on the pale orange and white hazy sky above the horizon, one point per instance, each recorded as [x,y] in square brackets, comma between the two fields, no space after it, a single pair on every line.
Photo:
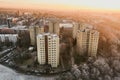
[63,4]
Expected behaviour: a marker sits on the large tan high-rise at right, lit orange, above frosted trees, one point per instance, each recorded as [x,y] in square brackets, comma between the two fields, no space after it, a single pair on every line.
[87,41]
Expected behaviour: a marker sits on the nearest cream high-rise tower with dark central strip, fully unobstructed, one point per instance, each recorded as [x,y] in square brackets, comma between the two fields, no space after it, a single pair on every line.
[48,49]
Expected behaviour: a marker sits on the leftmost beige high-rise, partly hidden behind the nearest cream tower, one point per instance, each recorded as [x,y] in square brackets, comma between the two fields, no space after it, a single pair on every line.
[34,31]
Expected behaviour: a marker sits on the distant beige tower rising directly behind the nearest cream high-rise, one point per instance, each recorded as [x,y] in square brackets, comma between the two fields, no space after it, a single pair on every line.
[54,27]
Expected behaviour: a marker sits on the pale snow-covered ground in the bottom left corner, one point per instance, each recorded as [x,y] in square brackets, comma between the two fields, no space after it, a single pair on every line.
[9,74]
